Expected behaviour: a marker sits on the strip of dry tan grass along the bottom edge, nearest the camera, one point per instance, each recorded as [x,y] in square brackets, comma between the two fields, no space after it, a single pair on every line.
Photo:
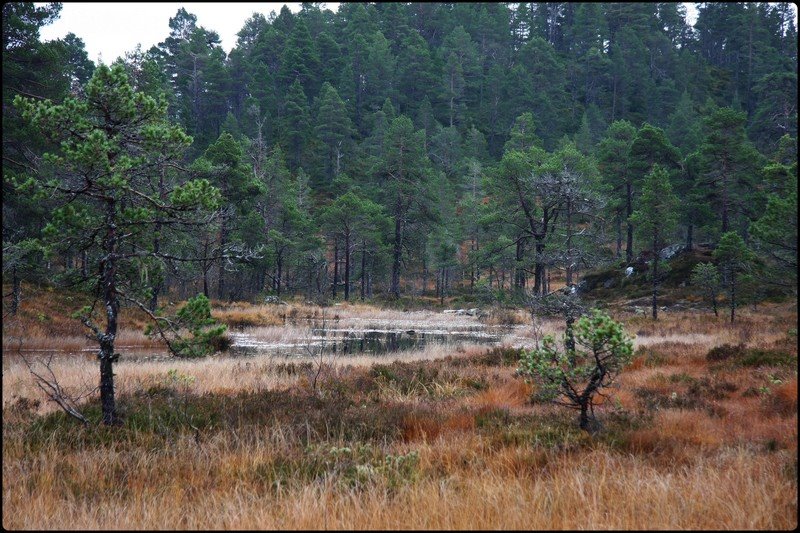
[518,488]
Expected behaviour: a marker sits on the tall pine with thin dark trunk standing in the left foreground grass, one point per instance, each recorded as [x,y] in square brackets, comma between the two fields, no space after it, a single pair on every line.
[109,142]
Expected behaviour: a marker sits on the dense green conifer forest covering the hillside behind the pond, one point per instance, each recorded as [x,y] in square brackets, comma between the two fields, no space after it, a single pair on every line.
[404,149]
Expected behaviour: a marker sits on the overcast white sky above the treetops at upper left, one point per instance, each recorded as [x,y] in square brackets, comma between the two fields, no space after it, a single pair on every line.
[111,29]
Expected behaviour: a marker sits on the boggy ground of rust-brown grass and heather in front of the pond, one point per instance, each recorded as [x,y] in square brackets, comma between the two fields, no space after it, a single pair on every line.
[700,434]
